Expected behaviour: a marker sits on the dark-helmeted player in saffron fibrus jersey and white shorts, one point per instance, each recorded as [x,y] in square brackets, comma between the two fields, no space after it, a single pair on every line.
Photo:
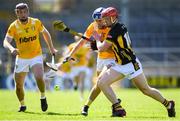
[25,32]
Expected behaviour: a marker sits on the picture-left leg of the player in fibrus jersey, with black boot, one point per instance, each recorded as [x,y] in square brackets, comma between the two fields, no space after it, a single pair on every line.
[19,83]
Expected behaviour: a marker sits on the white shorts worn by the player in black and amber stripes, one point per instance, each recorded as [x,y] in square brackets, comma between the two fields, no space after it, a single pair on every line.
[128,69]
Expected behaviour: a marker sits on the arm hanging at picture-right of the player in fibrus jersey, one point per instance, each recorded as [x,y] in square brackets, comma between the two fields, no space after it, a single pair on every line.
[48,40]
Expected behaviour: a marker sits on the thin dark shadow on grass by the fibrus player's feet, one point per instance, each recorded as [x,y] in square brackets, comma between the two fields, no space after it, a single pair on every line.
[52,113]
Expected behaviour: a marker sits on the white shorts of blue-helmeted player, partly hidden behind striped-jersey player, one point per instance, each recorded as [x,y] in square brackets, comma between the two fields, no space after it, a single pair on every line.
[101,63]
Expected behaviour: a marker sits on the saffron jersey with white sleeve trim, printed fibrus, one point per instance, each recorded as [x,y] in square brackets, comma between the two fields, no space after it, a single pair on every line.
[26,37]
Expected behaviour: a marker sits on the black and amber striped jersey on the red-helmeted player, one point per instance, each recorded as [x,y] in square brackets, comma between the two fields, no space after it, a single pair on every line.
[121,44]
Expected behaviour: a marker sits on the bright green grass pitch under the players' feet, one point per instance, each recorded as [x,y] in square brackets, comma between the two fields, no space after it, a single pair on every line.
[66,105]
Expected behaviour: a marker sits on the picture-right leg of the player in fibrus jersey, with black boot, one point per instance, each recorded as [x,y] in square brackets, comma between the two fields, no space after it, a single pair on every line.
[38,72]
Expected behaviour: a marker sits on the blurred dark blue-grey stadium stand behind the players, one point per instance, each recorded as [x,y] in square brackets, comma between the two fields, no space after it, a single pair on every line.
[154,28]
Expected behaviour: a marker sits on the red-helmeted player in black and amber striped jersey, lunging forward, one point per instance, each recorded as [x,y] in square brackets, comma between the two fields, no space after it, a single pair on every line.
[127,65]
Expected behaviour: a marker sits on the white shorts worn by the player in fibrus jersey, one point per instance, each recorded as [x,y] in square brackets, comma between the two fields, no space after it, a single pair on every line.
[23,65]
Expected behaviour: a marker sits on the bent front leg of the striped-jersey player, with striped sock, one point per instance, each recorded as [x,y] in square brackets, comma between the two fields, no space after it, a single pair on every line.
[104,83]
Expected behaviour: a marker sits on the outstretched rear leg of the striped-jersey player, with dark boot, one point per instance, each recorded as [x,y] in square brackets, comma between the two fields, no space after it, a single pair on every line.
[141,83]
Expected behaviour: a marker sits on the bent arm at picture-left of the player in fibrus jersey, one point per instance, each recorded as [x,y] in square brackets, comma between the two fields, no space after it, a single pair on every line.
[7,44]
